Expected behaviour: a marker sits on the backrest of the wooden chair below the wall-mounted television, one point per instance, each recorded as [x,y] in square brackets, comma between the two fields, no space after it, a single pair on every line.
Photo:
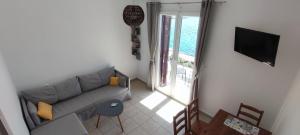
[246,110]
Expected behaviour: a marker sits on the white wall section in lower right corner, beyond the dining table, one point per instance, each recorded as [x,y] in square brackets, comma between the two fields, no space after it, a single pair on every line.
[287,122]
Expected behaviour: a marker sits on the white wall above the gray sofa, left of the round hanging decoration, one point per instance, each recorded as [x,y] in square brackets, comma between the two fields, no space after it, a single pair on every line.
[45,41]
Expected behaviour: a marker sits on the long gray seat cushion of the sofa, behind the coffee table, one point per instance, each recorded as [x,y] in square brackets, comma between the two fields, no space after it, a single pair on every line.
[87,99]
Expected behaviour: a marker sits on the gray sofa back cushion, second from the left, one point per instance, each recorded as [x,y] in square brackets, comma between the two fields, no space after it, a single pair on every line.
[68,88]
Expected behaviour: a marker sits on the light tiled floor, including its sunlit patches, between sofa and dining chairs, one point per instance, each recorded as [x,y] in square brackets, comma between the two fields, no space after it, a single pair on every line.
[147,113]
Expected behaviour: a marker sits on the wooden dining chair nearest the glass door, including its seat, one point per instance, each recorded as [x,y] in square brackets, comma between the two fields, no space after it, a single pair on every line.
[195,125]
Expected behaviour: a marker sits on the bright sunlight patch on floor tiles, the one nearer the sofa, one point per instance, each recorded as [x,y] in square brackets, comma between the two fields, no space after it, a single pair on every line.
[153,100]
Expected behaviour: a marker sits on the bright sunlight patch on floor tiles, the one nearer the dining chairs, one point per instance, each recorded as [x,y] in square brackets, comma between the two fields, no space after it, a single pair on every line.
[169,110]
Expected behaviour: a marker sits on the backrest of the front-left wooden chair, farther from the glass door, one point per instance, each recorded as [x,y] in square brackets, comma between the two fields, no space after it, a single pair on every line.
[180,122]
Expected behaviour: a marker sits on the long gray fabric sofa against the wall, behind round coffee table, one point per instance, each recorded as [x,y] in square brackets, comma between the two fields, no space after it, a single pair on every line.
[78,95]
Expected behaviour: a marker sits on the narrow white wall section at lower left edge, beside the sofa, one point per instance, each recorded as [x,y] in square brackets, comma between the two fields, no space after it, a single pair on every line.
[9,103]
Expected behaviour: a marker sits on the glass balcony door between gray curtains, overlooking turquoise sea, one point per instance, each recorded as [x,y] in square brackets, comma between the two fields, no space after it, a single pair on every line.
[178,35]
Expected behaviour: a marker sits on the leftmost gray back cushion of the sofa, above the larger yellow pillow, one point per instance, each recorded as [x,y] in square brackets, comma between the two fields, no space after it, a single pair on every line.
[45,94]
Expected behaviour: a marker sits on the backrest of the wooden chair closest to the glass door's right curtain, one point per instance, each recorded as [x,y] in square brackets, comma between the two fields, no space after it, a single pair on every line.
[193,112]
